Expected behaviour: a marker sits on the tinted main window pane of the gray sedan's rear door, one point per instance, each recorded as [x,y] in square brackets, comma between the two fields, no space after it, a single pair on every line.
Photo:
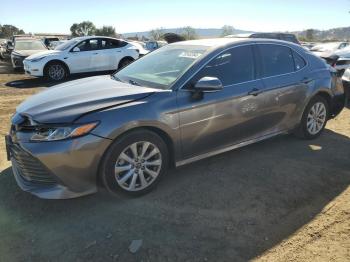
[276,60]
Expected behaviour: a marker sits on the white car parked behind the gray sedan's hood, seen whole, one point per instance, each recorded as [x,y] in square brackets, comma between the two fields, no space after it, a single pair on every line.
[80,55]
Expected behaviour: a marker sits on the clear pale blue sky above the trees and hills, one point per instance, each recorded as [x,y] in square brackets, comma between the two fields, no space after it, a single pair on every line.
[136,15]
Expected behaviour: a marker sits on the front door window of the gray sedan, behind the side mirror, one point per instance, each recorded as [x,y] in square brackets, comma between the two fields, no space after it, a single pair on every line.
[232,67]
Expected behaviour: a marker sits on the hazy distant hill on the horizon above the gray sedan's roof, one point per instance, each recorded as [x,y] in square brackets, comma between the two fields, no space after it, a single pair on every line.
[201,32]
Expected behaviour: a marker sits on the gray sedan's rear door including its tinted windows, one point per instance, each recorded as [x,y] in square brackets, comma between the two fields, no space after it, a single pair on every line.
[285,85]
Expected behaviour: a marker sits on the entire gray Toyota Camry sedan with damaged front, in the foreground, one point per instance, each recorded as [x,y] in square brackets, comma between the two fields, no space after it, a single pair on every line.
[181,103]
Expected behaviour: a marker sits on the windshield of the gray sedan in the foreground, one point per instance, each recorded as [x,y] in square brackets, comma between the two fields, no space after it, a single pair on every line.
[161,68]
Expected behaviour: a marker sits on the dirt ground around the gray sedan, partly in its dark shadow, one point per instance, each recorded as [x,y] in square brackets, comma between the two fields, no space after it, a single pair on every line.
[283,199]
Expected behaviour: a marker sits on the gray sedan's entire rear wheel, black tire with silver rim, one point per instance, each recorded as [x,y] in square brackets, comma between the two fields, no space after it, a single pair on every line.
[312,127]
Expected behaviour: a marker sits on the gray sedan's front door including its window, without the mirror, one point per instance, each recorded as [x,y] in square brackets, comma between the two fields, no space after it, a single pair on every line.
[225,117]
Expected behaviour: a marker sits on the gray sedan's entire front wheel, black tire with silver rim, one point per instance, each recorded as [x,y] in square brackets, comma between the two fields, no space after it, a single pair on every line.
[130,175]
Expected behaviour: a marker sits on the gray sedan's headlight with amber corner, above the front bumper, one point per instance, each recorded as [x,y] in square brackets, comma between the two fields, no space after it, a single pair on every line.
[60,133]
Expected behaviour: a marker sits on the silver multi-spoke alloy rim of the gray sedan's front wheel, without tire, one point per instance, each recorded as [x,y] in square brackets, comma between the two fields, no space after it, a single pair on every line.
[138,166]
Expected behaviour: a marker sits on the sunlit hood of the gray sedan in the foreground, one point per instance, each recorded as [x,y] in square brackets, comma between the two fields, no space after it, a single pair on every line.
[66,102]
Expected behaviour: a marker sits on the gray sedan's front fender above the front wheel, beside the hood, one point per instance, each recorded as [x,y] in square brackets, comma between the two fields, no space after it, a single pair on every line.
[158,111]
